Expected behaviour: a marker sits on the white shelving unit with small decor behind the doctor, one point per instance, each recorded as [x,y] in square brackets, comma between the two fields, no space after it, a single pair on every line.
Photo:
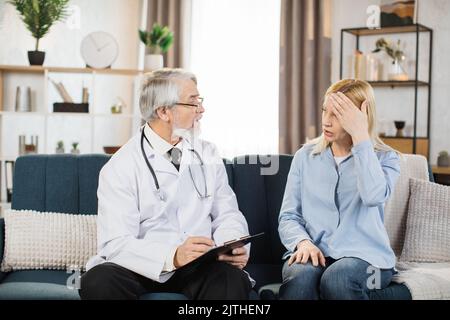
[93,130]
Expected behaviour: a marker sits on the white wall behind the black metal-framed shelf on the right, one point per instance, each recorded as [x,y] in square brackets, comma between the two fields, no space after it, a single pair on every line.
[398,104]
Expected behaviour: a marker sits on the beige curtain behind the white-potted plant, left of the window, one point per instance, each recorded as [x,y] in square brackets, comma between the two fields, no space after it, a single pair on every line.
[170,13]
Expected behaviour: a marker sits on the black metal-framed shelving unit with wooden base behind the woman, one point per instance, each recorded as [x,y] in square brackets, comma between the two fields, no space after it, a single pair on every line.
[415,143]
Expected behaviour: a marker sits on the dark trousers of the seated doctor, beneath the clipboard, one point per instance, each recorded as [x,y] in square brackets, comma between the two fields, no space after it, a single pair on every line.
[213,281]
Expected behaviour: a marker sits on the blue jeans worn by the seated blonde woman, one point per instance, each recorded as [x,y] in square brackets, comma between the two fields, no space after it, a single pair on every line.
[343,279]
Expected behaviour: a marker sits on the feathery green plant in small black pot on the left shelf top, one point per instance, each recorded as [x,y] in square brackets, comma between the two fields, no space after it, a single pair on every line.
[39,16]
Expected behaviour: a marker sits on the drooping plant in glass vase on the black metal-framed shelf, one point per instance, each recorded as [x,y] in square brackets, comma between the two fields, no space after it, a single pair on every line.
[396,70]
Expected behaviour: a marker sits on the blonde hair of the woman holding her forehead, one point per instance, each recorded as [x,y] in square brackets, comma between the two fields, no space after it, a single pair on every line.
[357,91]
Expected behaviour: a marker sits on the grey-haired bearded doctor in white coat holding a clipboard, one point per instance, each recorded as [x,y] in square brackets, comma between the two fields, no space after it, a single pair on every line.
[164,200]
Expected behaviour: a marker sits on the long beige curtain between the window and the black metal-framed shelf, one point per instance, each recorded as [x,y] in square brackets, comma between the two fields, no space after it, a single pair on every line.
[305,70]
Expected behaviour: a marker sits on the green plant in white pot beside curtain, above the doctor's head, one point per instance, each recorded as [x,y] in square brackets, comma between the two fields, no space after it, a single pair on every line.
[158,40]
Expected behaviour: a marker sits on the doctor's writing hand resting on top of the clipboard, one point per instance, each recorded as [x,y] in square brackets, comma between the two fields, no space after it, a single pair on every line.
[191,249]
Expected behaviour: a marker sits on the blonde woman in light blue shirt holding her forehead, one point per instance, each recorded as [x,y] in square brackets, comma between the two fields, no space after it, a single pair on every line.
[331,219]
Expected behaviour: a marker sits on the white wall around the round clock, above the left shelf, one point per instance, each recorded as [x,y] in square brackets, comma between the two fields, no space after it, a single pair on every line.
[62,44]
